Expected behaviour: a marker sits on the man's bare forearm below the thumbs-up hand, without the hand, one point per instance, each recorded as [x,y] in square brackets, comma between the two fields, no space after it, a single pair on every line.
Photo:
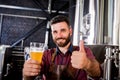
[93,68]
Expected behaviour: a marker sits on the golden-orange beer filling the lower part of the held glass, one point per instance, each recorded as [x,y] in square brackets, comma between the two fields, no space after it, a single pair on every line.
[36,56]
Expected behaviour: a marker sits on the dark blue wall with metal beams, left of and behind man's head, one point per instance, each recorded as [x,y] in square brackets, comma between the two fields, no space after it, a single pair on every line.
[19,18]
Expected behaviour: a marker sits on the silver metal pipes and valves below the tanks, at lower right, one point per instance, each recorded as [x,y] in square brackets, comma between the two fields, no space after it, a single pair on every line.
[111,56]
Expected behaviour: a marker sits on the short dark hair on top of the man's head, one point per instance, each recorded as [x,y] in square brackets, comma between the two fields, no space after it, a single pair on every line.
[60,18]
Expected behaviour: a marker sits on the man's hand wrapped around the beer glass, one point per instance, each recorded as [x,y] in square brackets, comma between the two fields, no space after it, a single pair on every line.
[31,68]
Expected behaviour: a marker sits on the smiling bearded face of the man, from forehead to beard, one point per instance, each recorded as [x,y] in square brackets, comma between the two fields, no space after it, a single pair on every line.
[61,34]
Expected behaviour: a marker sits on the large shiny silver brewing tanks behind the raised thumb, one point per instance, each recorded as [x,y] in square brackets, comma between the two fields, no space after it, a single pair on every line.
[100,25]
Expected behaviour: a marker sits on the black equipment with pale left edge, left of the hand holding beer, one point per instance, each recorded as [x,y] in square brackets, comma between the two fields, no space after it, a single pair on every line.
[11,62]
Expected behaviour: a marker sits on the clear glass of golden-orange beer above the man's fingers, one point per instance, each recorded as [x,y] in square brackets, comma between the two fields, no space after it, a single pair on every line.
[36,51]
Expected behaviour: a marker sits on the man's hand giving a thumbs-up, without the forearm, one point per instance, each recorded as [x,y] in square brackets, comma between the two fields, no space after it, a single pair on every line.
[79,59]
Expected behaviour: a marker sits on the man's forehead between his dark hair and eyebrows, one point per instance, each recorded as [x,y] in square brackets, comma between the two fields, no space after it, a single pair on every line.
[60,25]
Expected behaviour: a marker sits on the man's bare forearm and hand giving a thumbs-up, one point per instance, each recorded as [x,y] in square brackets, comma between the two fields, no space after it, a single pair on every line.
[85,60]
